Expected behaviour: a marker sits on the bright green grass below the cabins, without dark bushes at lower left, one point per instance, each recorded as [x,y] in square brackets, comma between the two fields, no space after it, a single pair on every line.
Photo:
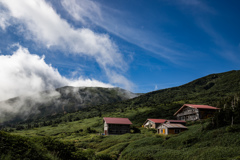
[195,143]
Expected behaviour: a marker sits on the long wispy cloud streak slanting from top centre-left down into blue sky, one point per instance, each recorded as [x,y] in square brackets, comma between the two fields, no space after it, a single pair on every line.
[117,22]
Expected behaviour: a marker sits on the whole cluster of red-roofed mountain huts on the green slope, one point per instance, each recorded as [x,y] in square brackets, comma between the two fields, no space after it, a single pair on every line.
[188,112]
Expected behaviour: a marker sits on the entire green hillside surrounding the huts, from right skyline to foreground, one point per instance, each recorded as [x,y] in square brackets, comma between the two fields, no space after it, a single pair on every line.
[78,135]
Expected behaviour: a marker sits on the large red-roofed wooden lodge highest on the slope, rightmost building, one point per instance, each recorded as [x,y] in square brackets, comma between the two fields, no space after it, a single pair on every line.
[192,112]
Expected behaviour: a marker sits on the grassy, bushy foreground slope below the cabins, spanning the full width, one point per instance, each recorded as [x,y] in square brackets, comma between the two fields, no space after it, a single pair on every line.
[75,140]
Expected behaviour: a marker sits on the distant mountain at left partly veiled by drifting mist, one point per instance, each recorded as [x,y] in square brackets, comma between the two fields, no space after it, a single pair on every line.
[60,101]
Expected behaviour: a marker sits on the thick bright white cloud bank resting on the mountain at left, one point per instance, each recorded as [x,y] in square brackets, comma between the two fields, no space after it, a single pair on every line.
[23,73]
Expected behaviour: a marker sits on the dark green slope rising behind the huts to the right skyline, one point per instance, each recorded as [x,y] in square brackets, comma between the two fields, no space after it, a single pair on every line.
[210,90]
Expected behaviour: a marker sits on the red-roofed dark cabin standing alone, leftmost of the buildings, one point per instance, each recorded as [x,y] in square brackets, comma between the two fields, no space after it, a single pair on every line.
[116,126]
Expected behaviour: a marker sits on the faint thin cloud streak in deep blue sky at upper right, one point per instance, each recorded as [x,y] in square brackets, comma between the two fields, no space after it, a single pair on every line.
[200,10]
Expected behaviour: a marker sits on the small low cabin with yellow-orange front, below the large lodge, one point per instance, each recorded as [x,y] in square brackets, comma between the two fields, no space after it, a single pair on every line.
[168,128]
